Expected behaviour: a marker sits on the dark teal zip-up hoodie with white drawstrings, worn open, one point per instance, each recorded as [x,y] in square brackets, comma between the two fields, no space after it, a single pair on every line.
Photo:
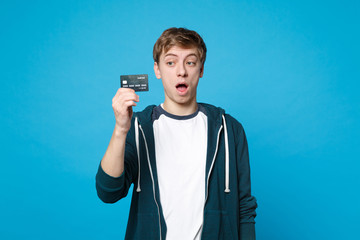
[229,209]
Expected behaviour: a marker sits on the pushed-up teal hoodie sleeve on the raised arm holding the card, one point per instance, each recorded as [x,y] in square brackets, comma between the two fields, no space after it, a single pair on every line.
[111,189]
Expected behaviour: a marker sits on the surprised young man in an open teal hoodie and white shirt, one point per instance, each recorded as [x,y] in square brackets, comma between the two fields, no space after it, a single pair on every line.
[188,161]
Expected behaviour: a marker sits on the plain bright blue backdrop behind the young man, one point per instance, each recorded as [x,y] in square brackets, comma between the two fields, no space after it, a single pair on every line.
[288,70]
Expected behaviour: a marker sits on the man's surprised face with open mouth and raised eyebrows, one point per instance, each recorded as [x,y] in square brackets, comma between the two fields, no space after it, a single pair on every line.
[180,70]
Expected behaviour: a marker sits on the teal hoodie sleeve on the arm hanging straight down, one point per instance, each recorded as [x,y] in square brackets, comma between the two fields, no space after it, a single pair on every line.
[247,203]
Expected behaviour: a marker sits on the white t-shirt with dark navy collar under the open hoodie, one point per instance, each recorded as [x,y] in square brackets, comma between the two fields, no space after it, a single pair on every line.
[180,147]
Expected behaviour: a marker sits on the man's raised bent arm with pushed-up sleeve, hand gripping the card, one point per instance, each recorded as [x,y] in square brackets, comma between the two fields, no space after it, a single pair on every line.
[109,180]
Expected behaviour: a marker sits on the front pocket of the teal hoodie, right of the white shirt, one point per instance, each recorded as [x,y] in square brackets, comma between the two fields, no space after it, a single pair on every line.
[217,226]
